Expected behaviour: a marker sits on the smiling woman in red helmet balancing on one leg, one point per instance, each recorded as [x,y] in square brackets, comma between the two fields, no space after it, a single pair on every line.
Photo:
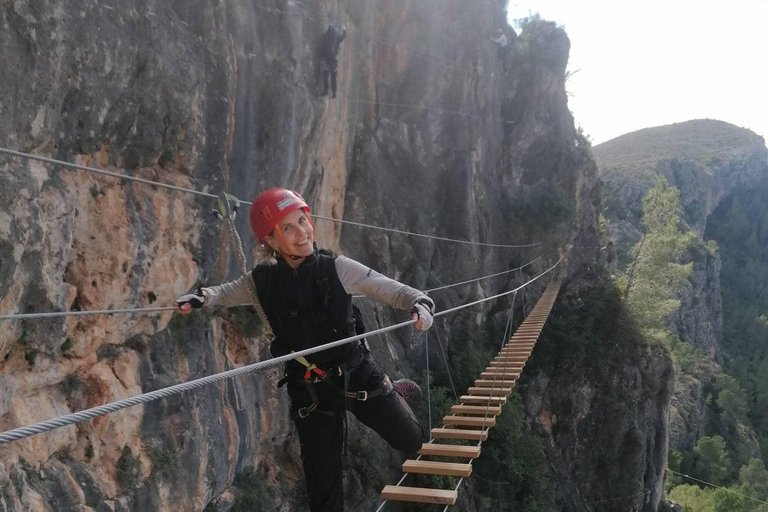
[306,296]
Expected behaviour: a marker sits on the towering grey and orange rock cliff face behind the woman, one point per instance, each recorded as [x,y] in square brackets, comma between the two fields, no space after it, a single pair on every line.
[427,134]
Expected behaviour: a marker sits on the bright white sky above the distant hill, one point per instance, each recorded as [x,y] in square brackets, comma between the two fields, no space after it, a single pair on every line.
[651,63]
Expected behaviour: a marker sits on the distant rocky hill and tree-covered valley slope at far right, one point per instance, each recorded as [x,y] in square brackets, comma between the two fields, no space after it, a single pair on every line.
[695,282]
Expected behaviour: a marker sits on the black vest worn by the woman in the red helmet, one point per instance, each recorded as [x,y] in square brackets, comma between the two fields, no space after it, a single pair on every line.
[307,306]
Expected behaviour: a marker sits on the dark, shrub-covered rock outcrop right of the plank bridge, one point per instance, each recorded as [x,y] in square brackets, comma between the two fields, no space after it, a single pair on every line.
[600,399]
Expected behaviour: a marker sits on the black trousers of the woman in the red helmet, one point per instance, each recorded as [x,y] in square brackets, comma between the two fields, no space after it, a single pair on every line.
[322,436]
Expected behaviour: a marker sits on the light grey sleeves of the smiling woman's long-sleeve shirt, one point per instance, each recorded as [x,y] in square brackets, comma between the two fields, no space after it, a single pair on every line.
[356,278]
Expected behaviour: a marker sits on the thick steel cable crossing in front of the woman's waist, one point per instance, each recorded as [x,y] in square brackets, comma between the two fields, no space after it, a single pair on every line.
[69,419]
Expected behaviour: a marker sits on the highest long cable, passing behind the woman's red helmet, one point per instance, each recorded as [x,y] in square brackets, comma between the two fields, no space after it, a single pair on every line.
[52,161]
